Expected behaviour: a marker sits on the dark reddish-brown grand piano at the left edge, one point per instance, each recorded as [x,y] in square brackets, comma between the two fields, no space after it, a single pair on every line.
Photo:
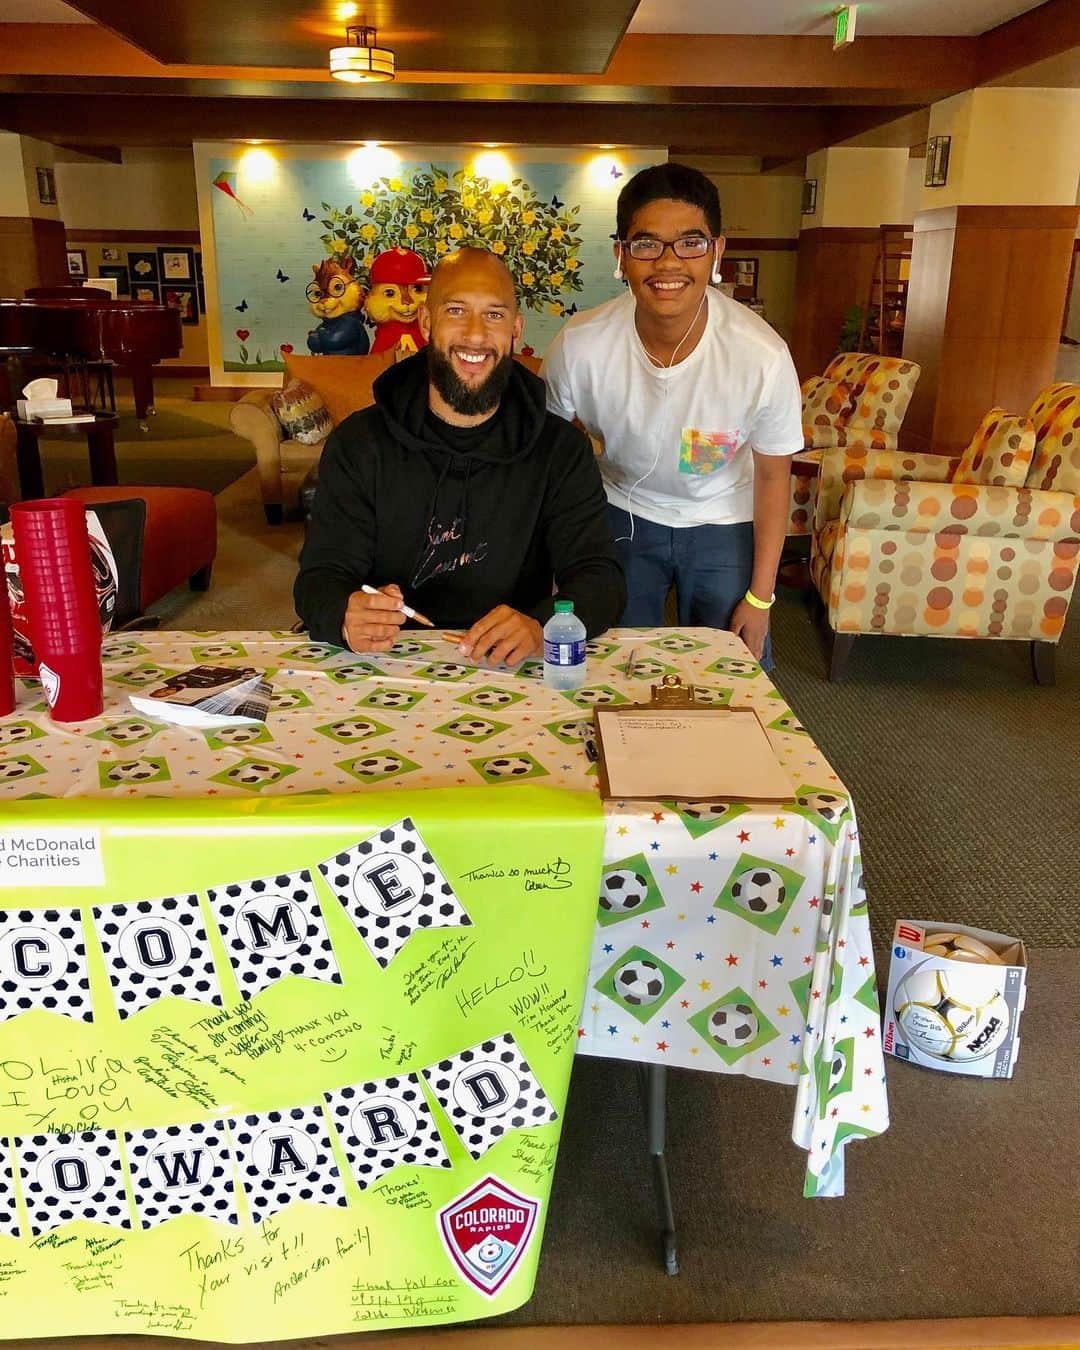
[59,325]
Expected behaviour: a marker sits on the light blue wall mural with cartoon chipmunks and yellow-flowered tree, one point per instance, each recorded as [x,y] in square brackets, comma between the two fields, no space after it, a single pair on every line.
[308,259]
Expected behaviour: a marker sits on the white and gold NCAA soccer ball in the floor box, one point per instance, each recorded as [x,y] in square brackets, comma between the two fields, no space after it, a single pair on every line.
[956,1015]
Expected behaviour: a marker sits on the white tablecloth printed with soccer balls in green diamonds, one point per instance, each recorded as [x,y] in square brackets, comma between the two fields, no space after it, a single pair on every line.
[731,939]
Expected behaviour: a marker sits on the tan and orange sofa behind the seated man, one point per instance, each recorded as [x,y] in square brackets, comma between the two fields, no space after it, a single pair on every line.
[344,384]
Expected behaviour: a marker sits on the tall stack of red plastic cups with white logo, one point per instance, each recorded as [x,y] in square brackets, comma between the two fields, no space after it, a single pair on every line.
[53,553]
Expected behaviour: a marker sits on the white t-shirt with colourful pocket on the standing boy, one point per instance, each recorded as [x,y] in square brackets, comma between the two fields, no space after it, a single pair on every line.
[677,442]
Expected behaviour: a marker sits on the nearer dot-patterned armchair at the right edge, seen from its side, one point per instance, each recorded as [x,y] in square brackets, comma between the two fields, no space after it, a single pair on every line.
[979,547]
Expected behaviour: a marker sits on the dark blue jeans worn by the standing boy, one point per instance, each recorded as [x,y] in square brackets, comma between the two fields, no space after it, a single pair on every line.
[709,565]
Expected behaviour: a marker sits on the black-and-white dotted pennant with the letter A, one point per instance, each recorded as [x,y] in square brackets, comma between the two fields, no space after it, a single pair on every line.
[286,1156]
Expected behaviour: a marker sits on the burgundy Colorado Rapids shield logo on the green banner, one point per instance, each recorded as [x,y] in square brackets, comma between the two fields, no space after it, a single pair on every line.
[487,1232]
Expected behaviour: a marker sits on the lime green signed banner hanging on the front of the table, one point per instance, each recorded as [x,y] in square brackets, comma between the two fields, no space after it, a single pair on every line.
[286,1069]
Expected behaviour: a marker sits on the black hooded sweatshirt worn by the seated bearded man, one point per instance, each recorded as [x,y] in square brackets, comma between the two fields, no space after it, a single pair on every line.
[461,519]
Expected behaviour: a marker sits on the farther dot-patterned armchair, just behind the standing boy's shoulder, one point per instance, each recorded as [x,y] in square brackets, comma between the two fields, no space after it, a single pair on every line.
[862,399]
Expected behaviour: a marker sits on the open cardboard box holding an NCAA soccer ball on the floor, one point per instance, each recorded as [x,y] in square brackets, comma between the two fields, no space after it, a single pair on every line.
[955,998]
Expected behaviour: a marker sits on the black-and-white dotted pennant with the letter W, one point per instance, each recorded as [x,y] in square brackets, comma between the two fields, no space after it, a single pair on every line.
[182,1170]
